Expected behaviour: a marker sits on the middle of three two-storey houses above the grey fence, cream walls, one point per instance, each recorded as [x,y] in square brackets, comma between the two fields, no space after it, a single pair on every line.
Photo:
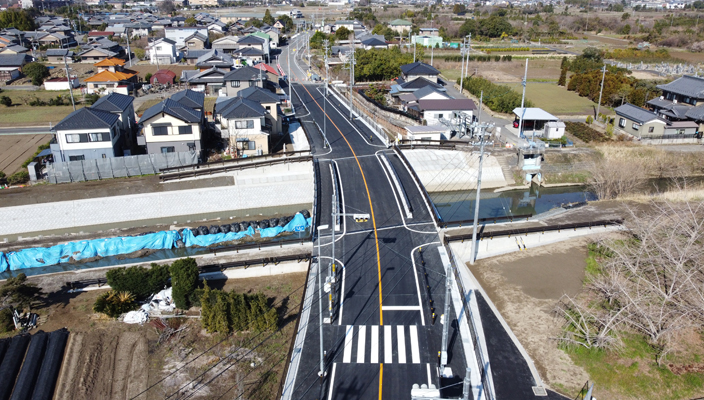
[171,126]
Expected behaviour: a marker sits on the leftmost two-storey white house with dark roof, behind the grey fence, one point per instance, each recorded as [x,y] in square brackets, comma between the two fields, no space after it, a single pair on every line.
[87,134]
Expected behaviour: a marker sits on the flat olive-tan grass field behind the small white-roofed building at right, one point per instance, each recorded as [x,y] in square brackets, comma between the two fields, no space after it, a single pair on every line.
[555,99]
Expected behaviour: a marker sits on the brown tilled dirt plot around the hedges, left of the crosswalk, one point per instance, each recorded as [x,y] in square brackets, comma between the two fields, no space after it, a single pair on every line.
[111,360]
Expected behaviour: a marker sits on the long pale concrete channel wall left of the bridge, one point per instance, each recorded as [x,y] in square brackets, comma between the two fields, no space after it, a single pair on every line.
[270,186]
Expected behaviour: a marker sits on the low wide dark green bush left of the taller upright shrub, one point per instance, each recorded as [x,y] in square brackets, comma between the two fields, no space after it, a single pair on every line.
[140,281]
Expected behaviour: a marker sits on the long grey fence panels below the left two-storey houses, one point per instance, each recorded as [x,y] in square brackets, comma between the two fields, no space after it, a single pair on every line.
[118,167]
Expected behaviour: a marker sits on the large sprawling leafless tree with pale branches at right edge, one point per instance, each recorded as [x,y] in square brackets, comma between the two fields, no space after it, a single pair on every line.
[650,282]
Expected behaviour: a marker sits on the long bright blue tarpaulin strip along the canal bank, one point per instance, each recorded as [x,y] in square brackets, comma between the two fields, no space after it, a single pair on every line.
[64,253]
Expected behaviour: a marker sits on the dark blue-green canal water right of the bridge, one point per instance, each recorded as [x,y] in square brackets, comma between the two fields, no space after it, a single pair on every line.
[459,206]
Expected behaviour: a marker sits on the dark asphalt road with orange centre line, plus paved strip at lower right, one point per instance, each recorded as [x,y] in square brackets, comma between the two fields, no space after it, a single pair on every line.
[382,337]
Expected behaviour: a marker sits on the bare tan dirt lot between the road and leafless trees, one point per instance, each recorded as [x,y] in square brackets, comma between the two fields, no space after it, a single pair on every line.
[525,287]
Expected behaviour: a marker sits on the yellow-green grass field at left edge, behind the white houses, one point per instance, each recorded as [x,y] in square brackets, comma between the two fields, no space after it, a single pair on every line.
[22,114]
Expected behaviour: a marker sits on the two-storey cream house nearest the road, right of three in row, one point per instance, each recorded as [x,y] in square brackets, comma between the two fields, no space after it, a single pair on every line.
[244,122]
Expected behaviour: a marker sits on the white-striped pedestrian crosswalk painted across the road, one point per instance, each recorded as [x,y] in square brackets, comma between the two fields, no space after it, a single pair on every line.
[391,344]
